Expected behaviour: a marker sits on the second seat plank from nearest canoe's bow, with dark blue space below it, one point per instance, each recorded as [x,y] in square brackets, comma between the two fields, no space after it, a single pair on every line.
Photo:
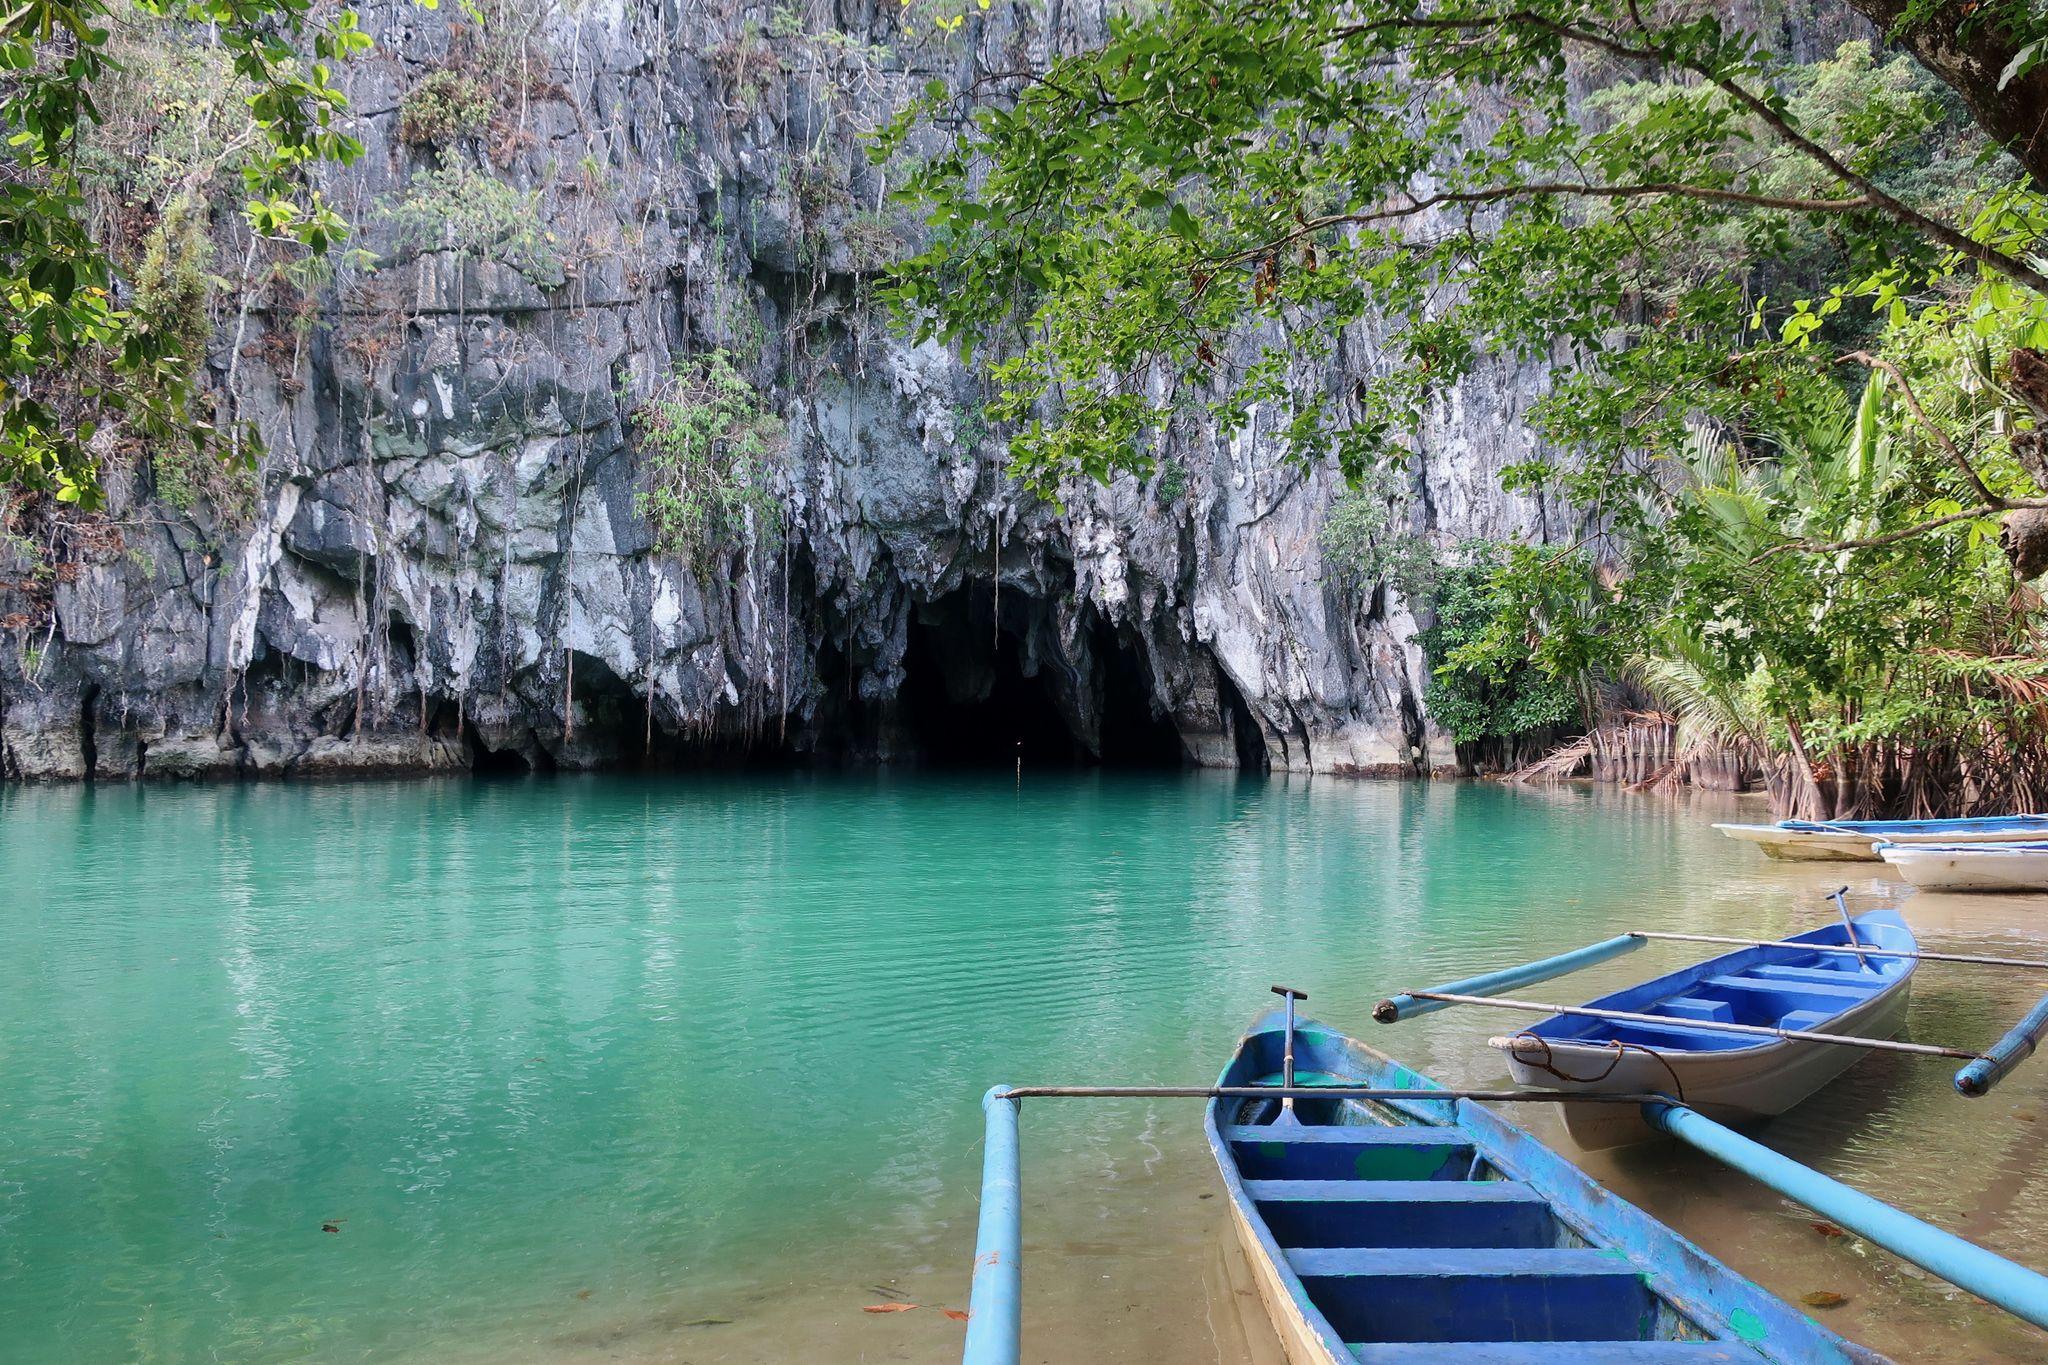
[1404,1213]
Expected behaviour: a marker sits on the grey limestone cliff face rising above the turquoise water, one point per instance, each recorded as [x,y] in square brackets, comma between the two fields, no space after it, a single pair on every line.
[447,566]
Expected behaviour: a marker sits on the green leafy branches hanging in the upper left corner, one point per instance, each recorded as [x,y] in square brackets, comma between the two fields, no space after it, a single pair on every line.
[77,347]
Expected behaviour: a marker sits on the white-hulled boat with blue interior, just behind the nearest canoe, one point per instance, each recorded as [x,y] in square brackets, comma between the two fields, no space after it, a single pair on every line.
[1723,1075]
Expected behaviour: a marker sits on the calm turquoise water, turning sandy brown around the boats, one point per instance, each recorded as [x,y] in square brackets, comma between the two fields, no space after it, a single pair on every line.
[689,1069]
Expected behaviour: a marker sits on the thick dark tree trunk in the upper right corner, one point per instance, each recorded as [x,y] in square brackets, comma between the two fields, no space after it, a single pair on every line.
[1969,50]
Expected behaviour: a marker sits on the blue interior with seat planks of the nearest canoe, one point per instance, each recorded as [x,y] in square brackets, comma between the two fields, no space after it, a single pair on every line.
[1416,1249]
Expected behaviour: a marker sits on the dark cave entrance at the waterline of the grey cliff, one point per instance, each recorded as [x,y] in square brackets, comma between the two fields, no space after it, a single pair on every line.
[982,697]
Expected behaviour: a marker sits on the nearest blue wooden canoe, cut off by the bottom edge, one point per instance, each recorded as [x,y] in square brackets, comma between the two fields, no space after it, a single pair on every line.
[1422,1233]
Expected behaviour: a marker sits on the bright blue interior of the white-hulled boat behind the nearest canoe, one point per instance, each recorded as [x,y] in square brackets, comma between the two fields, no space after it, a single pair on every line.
[1770,987]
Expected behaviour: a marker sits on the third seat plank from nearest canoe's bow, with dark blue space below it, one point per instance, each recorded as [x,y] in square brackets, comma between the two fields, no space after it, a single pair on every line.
[1480,1294]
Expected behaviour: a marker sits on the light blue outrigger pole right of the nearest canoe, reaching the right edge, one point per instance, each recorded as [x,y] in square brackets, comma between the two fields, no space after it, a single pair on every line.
[1994,1278]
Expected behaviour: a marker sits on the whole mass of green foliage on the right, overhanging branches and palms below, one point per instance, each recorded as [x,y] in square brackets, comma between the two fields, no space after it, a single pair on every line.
[1709,243]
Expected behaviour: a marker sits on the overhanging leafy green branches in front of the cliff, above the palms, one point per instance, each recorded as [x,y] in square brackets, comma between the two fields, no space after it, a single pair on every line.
[1279,175]
